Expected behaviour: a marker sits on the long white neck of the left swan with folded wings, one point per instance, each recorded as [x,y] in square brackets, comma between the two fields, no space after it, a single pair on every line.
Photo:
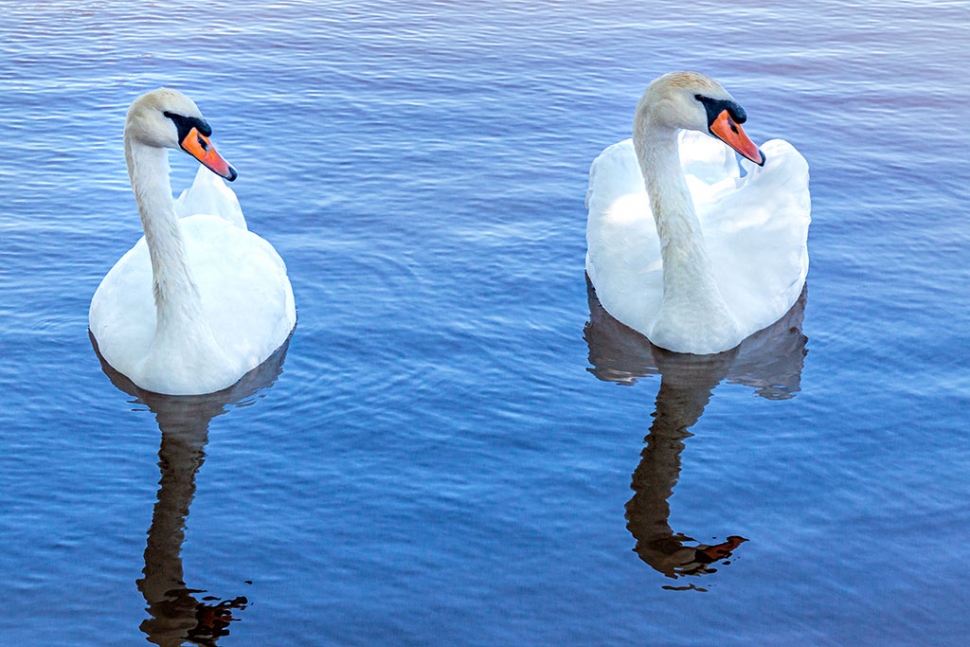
[177,299]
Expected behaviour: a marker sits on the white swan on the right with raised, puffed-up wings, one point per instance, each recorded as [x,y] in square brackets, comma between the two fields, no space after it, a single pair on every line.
[680,247]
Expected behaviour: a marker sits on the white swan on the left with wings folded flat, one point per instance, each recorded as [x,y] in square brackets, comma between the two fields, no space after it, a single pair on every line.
[199,301]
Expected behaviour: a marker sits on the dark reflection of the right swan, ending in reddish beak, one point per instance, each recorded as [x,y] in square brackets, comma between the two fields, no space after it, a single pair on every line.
[770,362]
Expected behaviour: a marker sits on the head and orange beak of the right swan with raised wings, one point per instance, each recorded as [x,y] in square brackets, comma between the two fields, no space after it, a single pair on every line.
[692,101]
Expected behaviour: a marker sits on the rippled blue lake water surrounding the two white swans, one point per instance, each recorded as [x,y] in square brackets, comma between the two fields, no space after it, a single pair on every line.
[459,446]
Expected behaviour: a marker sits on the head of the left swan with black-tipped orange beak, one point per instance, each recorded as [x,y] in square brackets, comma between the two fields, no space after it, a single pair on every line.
[165,118]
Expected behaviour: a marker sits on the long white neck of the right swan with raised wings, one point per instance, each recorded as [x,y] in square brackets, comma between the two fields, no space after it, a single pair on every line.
[688,276]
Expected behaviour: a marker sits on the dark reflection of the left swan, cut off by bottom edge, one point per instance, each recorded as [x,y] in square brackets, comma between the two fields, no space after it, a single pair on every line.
[178,614]
